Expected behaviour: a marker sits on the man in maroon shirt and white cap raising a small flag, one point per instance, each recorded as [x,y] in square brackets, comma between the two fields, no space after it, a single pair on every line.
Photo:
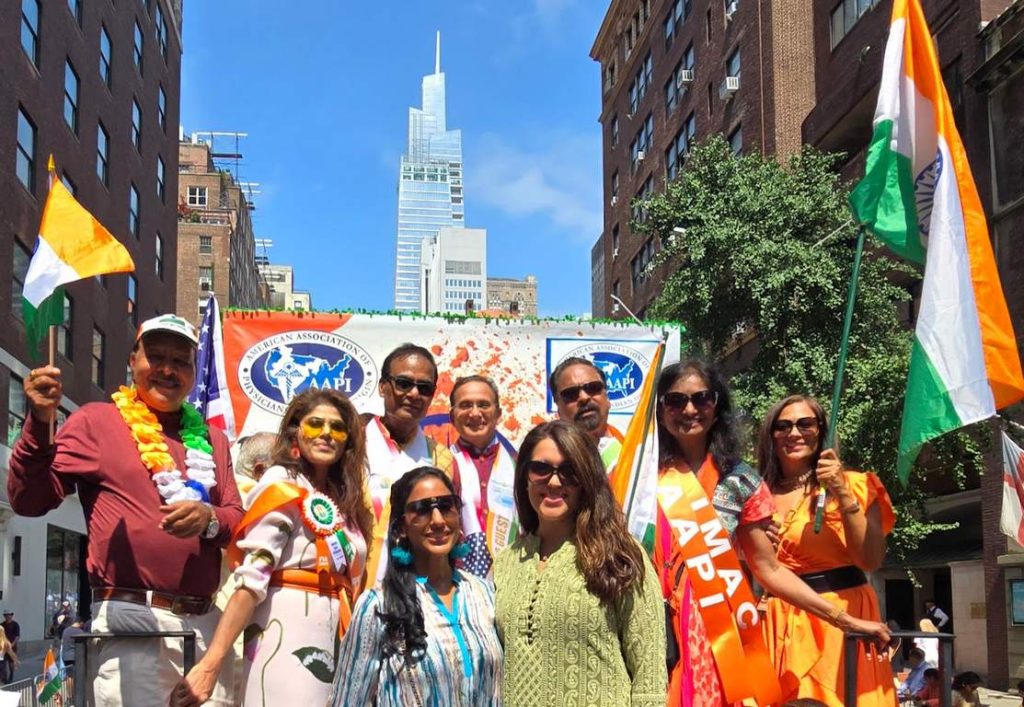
[154,566]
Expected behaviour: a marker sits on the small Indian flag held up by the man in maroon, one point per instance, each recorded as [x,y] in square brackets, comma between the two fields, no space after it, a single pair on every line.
[72,245]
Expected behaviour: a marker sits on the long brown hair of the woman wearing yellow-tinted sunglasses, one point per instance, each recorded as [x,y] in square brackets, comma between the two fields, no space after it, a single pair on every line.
[346,478]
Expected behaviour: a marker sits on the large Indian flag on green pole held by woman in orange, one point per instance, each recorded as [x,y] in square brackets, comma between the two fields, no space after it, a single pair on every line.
[919,197]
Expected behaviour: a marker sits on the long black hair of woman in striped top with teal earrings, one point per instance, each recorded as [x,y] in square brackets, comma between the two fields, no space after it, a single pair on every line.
[401,612]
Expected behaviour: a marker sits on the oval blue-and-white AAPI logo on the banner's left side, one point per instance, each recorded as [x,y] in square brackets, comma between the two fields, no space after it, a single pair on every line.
[280,367]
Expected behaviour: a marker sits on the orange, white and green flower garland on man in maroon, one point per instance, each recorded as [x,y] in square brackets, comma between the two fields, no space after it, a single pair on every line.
[149,436]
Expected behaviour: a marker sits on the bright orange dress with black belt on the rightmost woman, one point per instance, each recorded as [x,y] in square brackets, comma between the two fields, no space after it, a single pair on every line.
[807,651]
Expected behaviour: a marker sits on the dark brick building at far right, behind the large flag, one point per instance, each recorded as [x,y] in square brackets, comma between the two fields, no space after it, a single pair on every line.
[963,570]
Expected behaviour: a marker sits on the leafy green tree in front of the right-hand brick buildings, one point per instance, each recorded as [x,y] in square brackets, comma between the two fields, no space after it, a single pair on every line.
[761,251]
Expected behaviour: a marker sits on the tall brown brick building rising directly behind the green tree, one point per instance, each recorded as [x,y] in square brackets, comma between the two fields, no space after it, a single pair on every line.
[674,72]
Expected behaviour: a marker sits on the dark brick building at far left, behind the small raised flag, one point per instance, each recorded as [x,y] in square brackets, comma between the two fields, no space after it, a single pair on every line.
[96,86]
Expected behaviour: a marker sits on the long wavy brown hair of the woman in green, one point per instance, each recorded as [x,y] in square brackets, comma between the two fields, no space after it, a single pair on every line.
[609,558]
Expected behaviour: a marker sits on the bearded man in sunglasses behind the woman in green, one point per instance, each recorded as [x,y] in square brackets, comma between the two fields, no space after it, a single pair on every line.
[581,394]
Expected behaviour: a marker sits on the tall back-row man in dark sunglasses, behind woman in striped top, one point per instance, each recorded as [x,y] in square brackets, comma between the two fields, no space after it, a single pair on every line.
[396,444]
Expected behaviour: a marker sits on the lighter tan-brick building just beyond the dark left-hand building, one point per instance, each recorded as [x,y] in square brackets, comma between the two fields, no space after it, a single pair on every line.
[217,247]
